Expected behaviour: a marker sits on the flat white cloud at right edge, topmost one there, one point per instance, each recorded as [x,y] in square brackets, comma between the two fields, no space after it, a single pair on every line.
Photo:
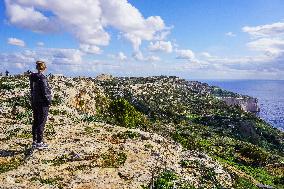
[269,30]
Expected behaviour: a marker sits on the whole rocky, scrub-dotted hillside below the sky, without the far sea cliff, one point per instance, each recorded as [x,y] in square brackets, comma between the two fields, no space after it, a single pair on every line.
[155,132]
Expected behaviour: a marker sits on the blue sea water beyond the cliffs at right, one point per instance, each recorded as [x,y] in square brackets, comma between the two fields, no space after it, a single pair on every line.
[270,95]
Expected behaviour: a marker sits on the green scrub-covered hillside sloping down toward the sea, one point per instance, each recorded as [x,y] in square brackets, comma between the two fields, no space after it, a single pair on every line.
[202,122]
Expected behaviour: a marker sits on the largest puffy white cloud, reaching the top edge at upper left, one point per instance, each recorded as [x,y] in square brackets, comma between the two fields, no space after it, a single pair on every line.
[89,20]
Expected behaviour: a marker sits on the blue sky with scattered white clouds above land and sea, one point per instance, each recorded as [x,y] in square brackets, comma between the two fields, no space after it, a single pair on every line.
[192,39]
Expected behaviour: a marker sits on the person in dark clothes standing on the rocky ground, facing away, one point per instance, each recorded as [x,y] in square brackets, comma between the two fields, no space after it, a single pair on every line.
[40,102]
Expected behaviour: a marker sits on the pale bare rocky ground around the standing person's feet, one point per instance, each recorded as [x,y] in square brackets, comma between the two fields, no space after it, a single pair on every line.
[86,154]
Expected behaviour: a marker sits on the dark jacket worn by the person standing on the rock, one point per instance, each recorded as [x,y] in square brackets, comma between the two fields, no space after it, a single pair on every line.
[40,90]
